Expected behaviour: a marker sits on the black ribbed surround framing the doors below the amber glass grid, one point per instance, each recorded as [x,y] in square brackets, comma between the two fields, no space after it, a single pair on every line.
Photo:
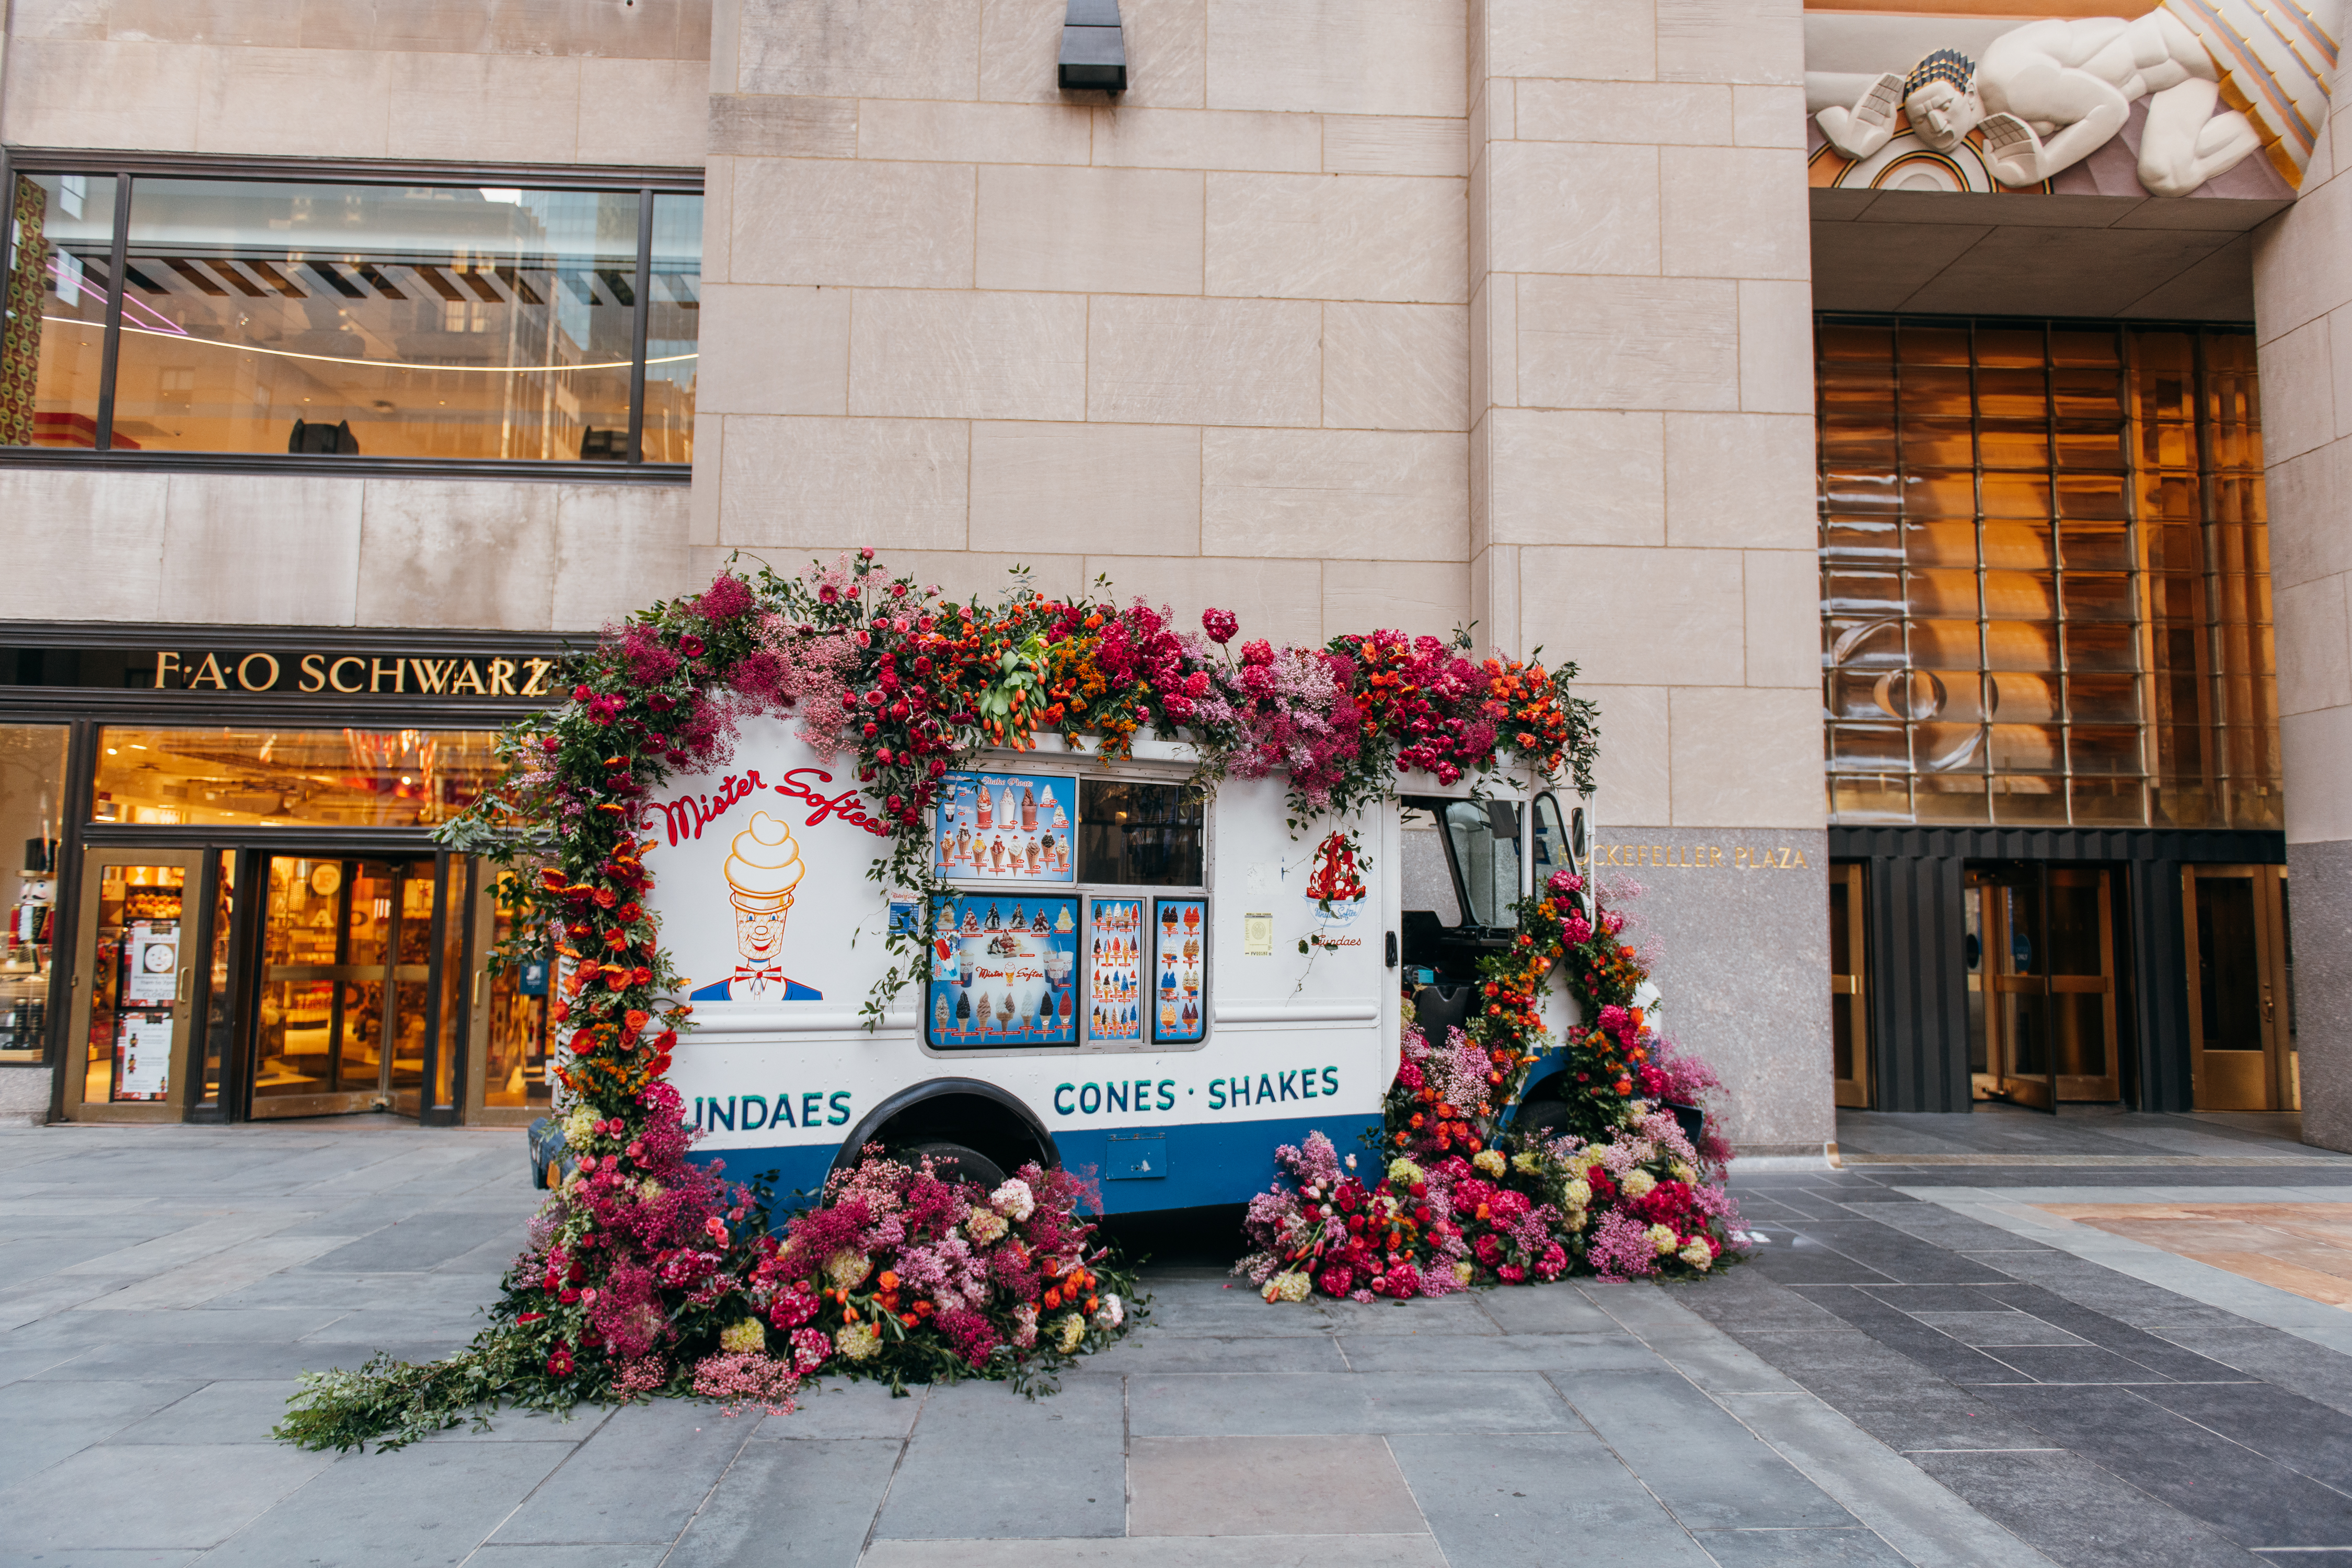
[1918,972]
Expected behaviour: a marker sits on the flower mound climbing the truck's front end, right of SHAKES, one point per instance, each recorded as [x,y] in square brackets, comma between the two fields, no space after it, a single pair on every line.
[1459,1195]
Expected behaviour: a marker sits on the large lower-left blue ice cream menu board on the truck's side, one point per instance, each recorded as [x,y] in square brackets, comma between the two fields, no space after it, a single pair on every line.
[1003,974]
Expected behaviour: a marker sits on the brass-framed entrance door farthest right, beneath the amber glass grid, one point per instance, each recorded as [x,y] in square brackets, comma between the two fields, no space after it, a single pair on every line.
[2243,1017]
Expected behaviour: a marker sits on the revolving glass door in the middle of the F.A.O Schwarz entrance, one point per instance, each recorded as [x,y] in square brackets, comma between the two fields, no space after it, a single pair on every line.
[345,1003]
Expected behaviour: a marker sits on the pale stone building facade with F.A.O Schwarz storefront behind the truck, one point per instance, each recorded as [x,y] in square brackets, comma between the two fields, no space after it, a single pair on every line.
[370,368]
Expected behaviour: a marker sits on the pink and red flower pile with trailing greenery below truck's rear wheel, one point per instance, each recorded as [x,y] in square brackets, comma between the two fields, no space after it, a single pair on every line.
[653,1275]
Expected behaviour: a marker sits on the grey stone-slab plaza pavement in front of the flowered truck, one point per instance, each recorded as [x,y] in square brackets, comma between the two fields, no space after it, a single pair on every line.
[1923,1367]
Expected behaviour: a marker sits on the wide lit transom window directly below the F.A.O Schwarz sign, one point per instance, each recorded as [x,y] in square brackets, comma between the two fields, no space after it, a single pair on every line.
[290,777]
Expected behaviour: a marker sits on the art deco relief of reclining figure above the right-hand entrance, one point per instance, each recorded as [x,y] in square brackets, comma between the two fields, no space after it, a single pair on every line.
[2221,79]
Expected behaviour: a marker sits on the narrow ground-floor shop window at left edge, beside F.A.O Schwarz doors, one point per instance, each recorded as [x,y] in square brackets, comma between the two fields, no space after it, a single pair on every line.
[32,808]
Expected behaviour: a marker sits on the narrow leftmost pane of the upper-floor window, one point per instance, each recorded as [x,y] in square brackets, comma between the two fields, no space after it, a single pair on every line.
[53,335]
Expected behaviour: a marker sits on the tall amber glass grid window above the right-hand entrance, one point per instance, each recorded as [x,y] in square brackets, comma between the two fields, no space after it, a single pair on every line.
[2045,577]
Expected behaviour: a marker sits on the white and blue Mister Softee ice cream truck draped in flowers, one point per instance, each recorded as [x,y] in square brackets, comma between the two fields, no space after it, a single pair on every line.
[1130,977]
